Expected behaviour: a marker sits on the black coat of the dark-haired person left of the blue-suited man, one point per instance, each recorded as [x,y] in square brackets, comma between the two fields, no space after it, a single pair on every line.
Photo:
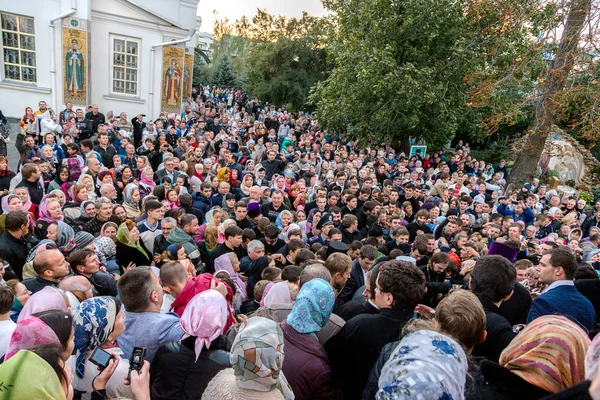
[499,332]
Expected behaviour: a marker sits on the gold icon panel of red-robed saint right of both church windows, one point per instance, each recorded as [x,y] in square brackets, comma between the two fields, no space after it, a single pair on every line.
[172,87]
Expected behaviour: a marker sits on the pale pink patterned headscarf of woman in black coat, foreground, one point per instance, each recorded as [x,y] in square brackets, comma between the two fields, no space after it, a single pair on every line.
[204,317]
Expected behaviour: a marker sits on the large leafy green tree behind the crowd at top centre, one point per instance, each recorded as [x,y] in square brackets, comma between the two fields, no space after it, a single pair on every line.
[398,69]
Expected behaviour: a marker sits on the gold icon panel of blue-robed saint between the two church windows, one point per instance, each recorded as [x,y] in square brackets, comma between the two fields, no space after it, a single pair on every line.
[74,65]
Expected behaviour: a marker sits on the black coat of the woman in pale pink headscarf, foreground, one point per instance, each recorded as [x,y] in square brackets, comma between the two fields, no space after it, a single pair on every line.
[175,373]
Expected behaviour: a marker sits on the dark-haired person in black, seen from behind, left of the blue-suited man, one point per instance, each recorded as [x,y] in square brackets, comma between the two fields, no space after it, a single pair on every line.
[492,281]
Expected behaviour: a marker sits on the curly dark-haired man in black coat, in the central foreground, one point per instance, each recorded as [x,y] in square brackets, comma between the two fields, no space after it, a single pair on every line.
[399,288]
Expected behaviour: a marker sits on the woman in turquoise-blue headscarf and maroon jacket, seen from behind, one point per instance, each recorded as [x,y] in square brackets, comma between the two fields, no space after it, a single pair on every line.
[306,364]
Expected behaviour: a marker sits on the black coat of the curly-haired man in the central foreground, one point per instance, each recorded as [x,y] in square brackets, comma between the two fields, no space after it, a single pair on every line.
[366,335]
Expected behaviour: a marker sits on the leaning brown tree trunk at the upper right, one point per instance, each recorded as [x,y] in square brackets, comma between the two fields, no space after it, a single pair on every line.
[528,158]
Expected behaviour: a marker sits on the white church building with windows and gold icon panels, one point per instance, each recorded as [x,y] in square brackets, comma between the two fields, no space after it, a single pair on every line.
[124,55]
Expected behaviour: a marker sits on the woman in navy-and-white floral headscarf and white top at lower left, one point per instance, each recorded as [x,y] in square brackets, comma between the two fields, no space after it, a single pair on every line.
[98,323]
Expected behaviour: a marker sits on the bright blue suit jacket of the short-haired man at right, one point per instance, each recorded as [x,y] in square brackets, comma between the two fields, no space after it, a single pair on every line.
[567,301]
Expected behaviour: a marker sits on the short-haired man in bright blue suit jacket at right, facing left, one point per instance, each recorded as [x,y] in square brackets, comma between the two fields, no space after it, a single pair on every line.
[557,269]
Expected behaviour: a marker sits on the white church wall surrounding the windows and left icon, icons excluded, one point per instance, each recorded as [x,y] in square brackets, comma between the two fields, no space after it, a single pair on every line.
[139,24]
